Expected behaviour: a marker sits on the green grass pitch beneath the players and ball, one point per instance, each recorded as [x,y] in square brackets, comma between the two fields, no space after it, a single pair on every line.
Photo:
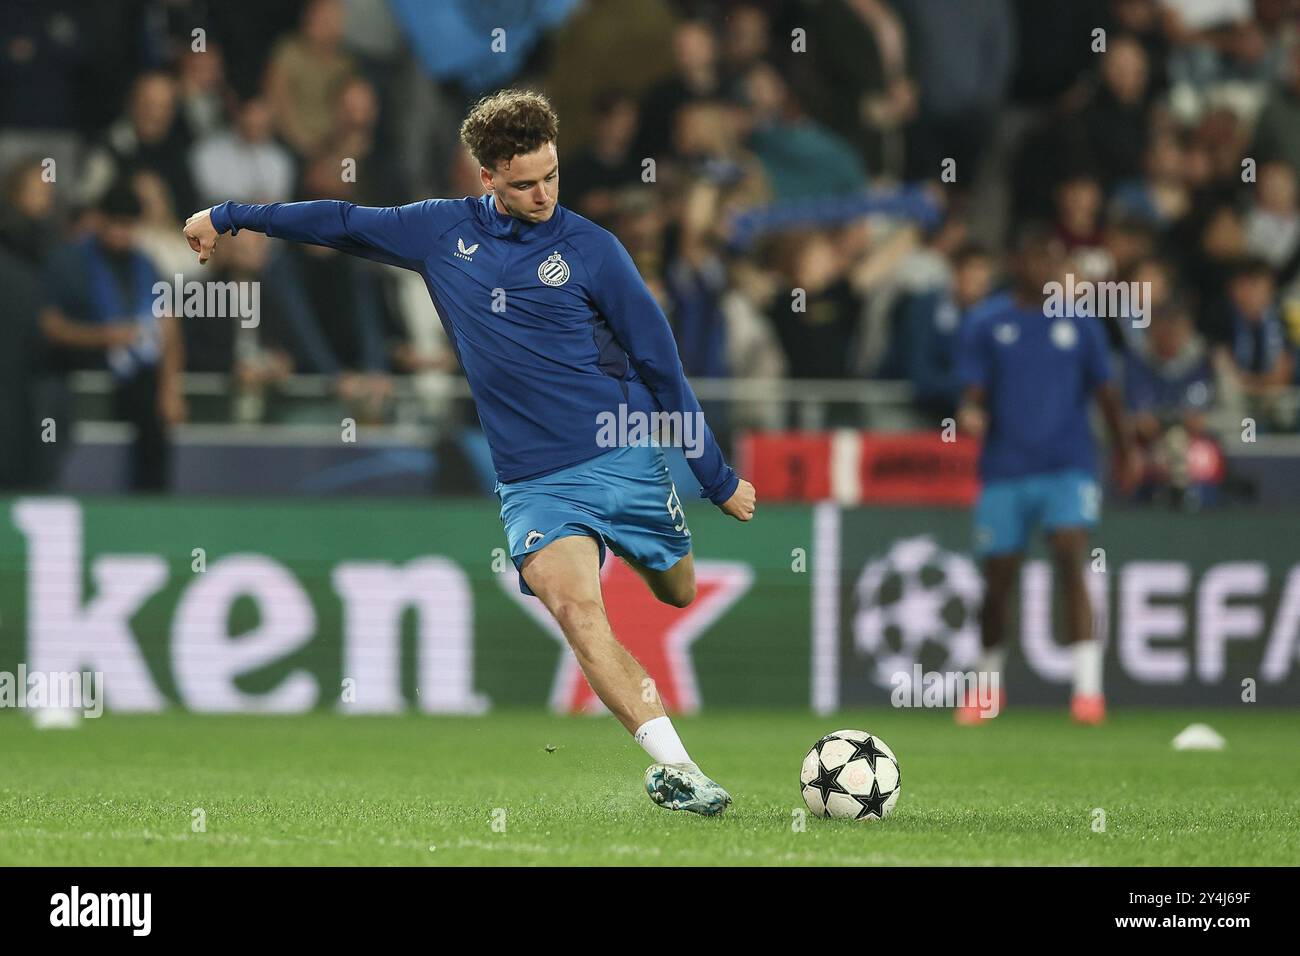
[331,790]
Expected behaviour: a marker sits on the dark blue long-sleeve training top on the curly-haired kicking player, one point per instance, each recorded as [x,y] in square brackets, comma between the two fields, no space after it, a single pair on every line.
[552,323]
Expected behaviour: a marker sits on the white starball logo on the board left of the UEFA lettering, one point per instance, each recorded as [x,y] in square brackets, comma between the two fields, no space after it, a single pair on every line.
[917,605]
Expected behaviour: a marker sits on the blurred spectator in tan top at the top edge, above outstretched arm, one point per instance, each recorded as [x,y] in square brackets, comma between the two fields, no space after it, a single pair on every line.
[306,71]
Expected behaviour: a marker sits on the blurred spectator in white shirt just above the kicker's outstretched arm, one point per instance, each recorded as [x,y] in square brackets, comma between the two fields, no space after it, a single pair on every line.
[244,165]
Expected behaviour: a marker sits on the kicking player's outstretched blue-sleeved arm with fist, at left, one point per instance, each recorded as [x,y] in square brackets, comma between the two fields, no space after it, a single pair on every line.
[396,235]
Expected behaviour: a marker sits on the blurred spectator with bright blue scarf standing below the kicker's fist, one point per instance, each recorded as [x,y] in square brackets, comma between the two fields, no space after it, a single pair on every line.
[102,313]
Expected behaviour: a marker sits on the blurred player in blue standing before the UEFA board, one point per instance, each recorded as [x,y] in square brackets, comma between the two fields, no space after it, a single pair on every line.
[1028,383]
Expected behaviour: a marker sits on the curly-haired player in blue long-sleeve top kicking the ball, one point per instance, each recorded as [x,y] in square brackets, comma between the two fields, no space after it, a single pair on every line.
[554,328]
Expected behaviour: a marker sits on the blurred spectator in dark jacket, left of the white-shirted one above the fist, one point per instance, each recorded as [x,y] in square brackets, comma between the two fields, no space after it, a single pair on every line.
[146,139]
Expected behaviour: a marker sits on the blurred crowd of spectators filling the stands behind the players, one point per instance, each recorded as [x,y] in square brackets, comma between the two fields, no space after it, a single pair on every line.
[730,145]
